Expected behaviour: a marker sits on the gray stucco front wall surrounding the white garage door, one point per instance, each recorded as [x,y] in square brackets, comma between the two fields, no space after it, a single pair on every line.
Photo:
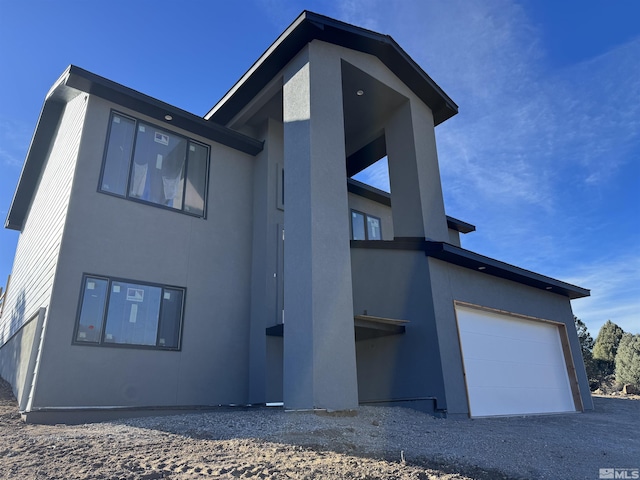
[450,283]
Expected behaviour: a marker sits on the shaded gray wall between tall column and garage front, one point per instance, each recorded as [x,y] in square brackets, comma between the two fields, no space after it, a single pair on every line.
[395,284]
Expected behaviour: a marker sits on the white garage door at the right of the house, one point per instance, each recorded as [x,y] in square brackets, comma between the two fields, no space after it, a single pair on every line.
[513,366]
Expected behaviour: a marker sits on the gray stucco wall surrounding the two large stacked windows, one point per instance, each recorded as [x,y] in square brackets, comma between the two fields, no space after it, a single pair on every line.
[106,235]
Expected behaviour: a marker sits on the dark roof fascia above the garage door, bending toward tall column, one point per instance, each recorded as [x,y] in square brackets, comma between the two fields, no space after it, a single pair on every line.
[474,261]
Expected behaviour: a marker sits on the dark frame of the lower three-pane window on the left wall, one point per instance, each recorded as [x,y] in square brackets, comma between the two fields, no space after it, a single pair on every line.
[105,312]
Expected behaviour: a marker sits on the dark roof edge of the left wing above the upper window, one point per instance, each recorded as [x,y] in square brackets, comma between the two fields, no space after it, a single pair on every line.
[75,81]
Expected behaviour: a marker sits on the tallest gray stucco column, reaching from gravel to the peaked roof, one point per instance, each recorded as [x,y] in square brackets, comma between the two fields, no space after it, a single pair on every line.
[319,344]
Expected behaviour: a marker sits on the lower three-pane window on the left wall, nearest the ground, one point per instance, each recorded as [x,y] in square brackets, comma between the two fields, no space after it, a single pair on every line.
[121,312]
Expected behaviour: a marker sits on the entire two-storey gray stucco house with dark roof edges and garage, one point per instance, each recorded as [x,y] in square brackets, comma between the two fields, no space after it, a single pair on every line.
[153,272]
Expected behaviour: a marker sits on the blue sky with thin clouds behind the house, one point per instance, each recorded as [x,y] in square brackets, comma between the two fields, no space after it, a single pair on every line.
[544,156]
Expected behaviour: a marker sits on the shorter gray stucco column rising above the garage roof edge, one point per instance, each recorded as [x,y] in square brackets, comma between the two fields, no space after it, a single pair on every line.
[414,175]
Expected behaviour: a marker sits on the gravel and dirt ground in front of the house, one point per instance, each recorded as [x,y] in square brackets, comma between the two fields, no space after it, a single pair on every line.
[377,443]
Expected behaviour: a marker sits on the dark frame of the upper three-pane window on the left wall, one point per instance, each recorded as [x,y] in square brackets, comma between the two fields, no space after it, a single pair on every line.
[127,194]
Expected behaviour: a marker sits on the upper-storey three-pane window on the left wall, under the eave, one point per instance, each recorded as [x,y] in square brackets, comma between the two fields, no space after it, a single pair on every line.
[150,164]
